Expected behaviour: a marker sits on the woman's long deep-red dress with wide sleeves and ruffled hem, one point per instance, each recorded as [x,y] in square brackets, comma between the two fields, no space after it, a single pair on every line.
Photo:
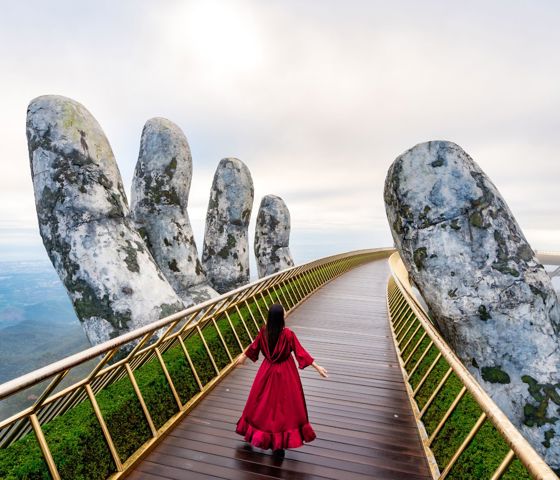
[275,415]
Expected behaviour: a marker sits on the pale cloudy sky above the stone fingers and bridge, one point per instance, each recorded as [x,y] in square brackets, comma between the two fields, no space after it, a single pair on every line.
[316,97]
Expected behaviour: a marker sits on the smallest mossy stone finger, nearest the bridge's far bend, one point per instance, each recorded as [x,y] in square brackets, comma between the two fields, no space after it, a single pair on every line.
[272,236]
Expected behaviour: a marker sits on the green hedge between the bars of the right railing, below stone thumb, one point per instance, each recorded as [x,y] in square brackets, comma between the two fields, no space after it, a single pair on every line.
[487,449]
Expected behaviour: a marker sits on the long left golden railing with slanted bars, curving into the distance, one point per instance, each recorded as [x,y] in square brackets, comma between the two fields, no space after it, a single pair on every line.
[239,314]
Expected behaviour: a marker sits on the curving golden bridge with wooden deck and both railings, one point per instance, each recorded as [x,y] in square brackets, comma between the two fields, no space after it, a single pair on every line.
[162,401]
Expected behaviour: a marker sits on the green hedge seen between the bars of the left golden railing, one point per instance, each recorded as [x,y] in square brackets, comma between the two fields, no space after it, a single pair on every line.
[75,438]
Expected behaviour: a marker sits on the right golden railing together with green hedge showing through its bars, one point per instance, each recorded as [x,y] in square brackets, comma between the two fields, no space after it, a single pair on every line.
[434,376]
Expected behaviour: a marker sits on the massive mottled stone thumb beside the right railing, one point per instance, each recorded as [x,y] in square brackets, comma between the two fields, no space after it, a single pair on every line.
[489,296]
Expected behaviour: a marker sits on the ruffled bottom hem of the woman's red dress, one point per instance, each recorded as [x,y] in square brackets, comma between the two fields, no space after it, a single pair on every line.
[275,440]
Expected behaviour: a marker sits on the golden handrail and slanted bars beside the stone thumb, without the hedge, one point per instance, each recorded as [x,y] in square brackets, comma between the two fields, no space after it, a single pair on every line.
[407,313]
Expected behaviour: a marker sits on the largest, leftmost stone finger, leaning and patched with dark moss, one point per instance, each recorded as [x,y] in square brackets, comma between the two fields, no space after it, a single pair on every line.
[111,278]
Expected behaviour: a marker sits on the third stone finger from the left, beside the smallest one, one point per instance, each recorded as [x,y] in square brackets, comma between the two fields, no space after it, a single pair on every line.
[225,257]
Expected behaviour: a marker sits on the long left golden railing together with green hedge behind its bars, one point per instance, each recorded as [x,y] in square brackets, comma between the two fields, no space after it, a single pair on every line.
[139,385]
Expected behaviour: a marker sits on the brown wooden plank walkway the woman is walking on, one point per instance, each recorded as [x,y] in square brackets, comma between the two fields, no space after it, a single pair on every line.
[361,413]
